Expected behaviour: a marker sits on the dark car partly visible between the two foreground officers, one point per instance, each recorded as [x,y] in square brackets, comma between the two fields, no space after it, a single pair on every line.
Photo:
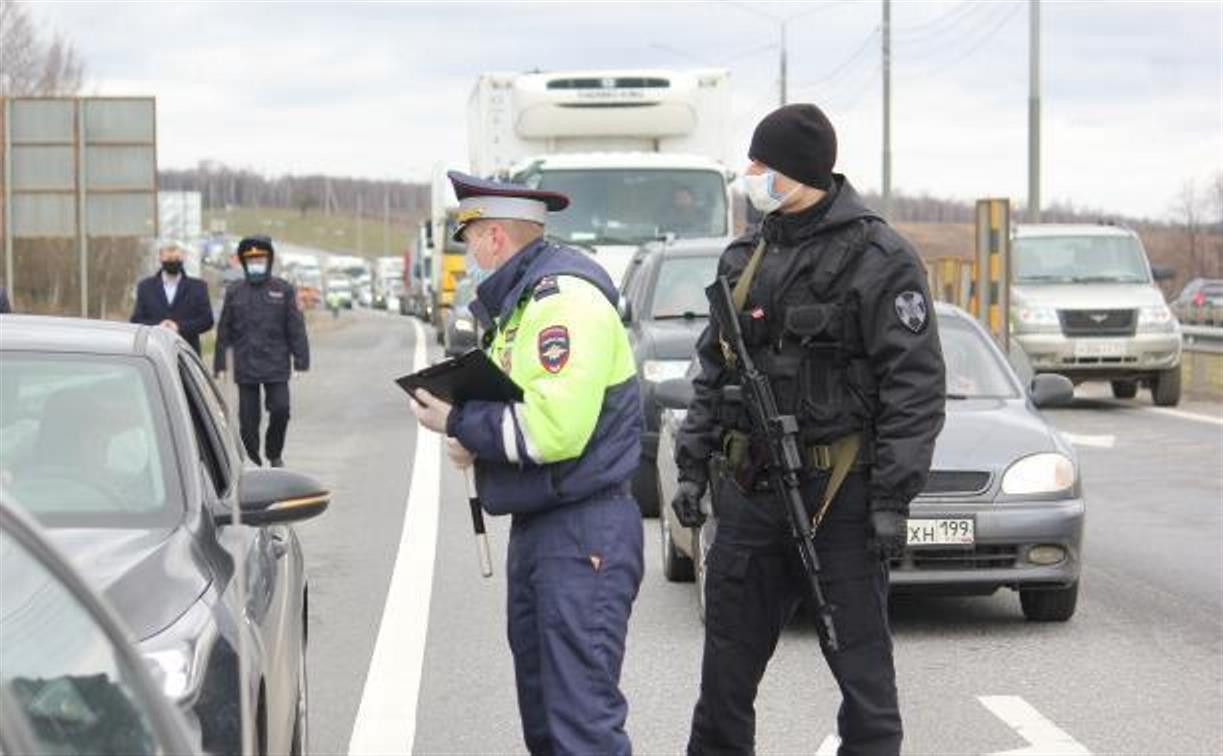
[665,311]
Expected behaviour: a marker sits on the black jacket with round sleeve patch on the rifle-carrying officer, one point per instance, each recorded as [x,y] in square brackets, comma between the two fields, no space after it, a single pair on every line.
[841,320]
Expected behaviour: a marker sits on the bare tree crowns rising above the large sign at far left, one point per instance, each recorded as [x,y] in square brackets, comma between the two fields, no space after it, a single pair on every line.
[31,65]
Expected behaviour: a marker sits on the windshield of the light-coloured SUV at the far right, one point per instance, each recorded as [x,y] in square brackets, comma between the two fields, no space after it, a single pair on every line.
[1077,260]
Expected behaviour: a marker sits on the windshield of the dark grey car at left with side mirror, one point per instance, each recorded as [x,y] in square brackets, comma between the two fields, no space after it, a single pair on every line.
[84,437]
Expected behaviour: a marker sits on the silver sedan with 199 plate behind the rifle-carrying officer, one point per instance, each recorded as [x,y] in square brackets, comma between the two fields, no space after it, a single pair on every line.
[1003,506]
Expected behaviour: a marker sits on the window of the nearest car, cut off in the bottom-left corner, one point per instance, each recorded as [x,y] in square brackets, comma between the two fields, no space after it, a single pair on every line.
[62,669]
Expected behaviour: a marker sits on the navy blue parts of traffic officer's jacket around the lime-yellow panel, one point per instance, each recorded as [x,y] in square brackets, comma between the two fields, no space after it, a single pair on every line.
[613,451]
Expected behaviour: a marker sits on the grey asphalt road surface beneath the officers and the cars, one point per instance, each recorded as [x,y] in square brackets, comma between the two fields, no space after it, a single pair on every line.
[1138,671]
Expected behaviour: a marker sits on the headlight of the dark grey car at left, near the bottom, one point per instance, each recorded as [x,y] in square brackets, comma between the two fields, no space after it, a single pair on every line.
[178,658]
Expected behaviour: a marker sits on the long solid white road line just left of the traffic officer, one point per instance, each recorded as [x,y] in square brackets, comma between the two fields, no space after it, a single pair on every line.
[387,717]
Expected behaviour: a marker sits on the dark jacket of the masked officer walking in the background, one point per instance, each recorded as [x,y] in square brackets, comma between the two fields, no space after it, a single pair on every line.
[264,326]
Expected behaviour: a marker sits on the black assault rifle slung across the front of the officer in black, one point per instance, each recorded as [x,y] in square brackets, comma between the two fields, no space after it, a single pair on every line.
[781,432]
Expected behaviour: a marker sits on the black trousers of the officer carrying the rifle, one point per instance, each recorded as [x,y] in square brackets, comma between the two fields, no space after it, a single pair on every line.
[754,587]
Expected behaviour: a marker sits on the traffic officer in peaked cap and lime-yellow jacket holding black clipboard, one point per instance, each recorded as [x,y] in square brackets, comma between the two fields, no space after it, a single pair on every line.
[560,463]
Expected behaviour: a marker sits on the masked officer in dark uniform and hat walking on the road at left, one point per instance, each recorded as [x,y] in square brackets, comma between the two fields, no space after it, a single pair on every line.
[262,325]
